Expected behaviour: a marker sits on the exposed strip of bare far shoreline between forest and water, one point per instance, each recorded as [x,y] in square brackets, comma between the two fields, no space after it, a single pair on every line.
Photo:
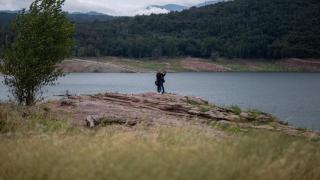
[124,65]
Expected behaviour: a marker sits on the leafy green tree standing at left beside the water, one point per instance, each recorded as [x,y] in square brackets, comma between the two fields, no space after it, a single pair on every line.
[43,38]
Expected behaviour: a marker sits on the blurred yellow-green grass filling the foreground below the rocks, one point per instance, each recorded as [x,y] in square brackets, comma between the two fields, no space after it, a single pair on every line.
[36,145]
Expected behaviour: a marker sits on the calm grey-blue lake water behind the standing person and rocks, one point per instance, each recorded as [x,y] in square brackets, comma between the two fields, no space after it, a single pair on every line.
[293,97]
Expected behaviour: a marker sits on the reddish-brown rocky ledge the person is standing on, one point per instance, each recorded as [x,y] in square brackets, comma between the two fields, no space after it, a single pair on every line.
[150,108]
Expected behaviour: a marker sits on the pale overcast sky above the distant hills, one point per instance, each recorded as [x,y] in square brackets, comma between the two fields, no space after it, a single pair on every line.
[112,7]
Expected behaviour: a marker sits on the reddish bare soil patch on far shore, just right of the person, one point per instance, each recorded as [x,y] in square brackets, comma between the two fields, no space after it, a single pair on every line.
[200,66]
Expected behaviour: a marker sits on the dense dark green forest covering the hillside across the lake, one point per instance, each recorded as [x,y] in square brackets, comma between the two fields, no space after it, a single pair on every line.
[240,28]
